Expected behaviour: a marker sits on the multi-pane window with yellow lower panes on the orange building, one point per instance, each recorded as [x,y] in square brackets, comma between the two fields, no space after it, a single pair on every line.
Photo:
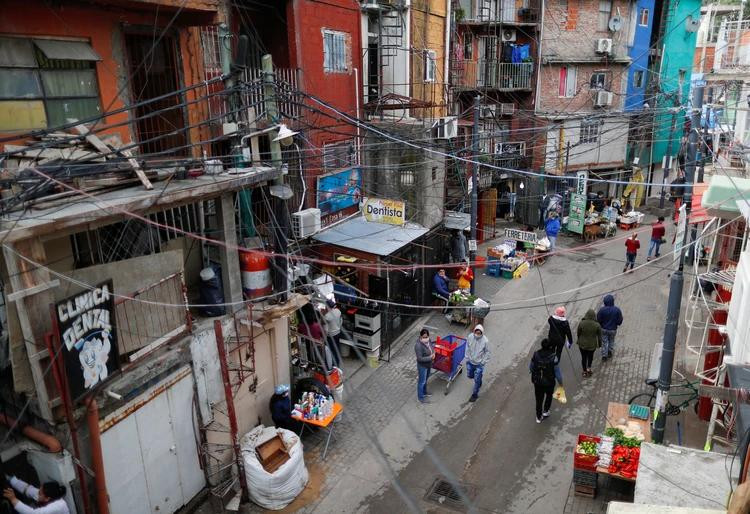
[43,82]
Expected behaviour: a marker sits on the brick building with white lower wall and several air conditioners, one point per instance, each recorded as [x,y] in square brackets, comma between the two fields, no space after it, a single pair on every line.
[582,86]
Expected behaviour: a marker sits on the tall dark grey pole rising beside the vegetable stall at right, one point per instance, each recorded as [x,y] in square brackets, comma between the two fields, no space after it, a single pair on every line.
[677,280]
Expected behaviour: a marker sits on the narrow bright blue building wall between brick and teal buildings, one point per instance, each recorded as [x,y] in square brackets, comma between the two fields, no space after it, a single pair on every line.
[639,54]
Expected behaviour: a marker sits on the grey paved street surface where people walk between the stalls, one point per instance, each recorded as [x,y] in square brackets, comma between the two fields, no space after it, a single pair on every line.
[389,449]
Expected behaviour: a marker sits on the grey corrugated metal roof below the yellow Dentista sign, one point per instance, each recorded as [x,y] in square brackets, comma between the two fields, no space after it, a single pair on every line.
[376,238]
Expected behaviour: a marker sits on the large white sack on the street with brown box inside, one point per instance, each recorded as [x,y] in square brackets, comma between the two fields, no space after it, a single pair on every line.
[278,489]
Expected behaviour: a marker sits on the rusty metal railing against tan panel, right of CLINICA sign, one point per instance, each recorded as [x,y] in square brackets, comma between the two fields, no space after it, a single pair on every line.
[152,316]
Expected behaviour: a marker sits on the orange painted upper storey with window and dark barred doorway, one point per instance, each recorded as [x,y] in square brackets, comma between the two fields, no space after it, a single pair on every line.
[83,59]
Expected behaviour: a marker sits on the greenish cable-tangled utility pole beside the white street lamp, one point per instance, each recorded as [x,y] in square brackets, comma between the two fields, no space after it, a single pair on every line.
[279,191]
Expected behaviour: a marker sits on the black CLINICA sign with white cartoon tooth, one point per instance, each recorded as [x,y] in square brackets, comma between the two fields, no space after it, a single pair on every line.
[86,324]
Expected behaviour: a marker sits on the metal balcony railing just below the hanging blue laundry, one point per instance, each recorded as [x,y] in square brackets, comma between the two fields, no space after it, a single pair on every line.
[492,74]
